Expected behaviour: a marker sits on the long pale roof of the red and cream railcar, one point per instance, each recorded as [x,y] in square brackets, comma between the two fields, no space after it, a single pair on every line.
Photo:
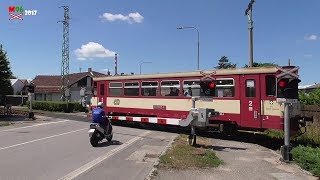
[253,70]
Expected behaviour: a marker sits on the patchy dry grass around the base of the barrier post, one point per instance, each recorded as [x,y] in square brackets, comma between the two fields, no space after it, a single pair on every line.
[181,155]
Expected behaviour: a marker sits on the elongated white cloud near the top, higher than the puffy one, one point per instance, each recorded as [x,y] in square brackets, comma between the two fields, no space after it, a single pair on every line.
[130,18]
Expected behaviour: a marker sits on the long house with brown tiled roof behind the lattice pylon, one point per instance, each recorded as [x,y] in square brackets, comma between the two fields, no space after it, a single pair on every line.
[48,87]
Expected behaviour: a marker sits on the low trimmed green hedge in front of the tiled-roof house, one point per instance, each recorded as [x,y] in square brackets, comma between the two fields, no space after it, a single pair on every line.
[56,106]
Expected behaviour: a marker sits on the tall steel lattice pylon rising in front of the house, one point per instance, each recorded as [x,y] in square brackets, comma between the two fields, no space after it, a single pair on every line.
[65,56]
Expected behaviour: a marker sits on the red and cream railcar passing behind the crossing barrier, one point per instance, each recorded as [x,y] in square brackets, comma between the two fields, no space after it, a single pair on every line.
[243,97]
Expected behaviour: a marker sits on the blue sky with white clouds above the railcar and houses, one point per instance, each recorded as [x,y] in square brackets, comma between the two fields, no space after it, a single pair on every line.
[145,30]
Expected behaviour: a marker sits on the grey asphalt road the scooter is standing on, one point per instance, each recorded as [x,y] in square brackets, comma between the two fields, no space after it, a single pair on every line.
[59,148]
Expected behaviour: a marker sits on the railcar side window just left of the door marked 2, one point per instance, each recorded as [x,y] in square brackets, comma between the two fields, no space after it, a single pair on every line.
[224,88]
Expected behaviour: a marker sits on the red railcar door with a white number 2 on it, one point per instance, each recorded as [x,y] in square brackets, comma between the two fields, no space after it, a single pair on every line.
[250,101]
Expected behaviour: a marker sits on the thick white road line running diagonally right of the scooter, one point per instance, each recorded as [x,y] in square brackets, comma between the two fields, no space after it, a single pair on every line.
[97,161]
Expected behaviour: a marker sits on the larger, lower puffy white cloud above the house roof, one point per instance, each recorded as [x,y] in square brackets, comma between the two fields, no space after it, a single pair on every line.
[92,50]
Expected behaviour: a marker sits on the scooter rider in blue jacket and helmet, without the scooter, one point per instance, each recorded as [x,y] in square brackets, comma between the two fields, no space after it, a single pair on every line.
[99,116]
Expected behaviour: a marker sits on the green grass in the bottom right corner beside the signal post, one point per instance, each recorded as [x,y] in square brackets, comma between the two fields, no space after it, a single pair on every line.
[308,158]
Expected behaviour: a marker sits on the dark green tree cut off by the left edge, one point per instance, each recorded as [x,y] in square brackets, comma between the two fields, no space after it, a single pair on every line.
[5,74]
